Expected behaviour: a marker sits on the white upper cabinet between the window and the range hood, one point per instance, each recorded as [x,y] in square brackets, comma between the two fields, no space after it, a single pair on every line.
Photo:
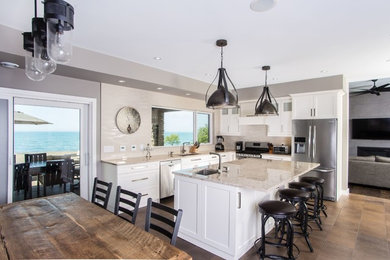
[229,121]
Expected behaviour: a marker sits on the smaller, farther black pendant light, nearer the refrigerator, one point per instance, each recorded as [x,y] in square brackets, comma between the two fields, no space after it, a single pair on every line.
[264,105]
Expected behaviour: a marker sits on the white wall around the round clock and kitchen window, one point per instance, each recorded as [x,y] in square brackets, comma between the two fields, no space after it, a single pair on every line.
[115,97]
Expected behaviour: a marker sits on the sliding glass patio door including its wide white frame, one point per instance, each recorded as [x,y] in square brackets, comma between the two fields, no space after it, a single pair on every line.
[61,129]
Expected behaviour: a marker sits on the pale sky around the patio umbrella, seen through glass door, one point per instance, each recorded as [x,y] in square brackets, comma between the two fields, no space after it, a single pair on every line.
[62,119]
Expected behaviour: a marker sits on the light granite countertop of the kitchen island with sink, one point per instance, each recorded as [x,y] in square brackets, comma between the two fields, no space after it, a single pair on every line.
[262,175]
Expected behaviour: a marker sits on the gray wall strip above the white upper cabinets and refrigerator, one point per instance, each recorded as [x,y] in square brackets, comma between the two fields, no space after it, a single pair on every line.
[301,86]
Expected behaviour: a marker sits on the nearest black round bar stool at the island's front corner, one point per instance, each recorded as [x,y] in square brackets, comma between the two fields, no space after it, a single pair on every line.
[282,212]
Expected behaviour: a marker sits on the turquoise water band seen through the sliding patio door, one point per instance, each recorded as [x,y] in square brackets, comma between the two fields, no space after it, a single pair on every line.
[26,142]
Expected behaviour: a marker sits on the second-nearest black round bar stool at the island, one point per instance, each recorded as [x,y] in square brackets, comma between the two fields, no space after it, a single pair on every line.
[300,197]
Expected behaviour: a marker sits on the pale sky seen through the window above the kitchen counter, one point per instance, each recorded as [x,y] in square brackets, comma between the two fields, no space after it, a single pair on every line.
[182,121]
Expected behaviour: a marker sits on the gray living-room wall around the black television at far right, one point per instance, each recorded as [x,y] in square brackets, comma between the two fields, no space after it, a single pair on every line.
[368,106]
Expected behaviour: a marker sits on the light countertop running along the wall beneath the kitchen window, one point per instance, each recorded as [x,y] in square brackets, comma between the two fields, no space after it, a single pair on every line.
[155,158]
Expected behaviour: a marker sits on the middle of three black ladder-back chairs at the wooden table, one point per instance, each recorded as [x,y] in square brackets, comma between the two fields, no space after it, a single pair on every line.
[125,206]
